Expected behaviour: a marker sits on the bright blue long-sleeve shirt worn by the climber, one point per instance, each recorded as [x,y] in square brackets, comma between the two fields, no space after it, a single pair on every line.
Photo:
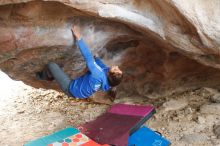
[95,79]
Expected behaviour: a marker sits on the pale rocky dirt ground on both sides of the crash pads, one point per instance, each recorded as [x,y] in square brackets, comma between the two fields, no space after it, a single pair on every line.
[186,119]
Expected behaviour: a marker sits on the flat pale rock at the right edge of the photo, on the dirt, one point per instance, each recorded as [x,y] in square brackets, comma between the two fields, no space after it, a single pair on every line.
[213,108]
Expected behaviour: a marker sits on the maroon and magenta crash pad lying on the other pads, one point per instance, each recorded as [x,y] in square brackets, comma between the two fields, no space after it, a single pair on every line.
[120,121]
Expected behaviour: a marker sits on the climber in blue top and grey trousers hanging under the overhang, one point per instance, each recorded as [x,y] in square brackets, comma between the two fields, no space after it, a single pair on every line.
[98,77]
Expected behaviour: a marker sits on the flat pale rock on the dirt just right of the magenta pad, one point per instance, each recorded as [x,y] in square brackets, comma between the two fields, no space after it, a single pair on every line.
[175,105]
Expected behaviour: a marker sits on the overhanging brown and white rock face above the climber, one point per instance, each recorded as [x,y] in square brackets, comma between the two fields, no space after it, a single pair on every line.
[162,46]
